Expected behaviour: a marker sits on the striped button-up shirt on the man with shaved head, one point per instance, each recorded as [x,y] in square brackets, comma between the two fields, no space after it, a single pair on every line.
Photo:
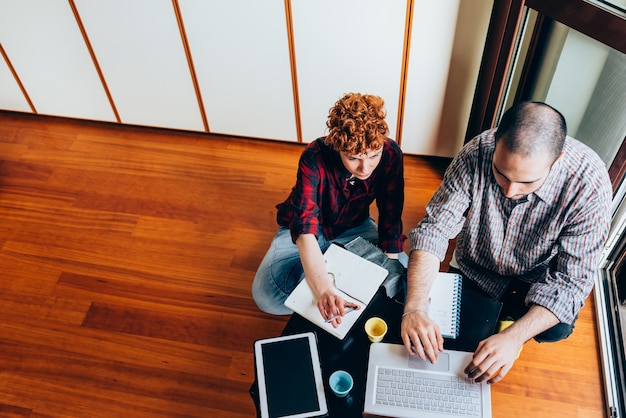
[552,238]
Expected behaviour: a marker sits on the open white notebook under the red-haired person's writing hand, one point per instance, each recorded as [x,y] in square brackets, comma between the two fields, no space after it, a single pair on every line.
[356,280]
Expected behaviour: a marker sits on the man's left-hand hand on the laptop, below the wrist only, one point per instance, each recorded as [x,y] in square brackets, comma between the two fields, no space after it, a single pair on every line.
[421,336]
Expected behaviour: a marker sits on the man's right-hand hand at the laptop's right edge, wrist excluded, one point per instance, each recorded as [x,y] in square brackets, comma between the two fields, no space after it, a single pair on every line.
[493,358]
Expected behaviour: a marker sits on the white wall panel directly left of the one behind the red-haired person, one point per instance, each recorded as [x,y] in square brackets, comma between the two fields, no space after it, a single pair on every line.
[240,51]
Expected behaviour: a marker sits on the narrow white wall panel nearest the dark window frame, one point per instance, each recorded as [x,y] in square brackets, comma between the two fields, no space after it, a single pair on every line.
[431,50]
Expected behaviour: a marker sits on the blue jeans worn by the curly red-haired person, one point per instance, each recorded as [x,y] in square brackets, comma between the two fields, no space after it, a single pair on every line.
[281,269]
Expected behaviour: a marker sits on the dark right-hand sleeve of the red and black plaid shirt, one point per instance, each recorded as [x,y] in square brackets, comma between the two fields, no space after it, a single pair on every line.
[390,202]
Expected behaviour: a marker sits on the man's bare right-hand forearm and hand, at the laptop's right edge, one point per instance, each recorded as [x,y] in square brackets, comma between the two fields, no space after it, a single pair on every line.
[496,355]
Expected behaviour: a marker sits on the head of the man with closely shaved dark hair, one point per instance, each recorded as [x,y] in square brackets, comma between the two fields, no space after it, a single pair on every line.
[529,140]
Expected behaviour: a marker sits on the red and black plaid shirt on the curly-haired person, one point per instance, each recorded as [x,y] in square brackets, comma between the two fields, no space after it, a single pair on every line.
[323,200]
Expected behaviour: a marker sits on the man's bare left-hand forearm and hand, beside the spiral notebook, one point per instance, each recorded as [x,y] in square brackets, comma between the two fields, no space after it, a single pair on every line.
[420,335]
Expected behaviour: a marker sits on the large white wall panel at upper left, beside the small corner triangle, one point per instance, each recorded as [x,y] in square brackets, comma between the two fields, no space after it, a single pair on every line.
[47,50]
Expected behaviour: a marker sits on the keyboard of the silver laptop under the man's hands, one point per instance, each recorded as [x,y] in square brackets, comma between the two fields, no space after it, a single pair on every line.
[407,388]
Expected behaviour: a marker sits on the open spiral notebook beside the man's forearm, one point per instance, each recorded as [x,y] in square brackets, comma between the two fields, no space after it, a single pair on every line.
[444,306]
